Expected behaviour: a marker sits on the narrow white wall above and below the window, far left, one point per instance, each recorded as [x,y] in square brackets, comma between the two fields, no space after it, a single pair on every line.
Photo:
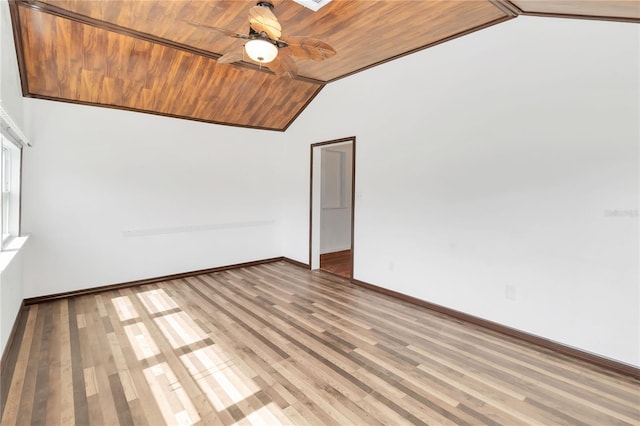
[11,263]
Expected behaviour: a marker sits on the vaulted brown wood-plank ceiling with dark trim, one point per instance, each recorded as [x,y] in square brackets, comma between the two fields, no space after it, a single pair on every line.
[147,56]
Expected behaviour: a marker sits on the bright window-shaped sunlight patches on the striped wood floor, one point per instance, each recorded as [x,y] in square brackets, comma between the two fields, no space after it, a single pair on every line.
[224,382]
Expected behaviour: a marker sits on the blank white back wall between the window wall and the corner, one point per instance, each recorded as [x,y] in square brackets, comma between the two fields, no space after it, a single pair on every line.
[113,196]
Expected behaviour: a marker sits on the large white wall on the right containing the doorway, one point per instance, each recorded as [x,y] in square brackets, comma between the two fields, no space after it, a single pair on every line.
[493,177]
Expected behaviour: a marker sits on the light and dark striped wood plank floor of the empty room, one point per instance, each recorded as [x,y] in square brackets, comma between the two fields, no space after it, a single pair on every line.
[275,343]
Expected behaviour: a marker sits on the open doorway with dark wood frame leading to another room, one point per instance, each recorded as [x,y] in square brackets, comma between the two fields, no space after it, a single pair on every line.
[332,206]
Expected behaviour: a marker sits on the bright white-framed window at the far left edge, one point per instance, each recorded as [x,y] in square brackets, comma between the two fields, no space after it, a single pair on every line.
[10,185]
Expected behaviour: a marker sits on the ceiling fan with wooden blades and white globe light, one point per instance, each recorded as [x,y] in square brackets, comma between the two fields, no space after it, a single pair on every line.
[265,46]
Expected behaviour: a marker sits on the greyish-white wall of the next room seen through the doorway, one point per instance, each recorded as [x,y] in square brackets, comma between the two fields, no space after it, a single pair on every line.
[335,222]
